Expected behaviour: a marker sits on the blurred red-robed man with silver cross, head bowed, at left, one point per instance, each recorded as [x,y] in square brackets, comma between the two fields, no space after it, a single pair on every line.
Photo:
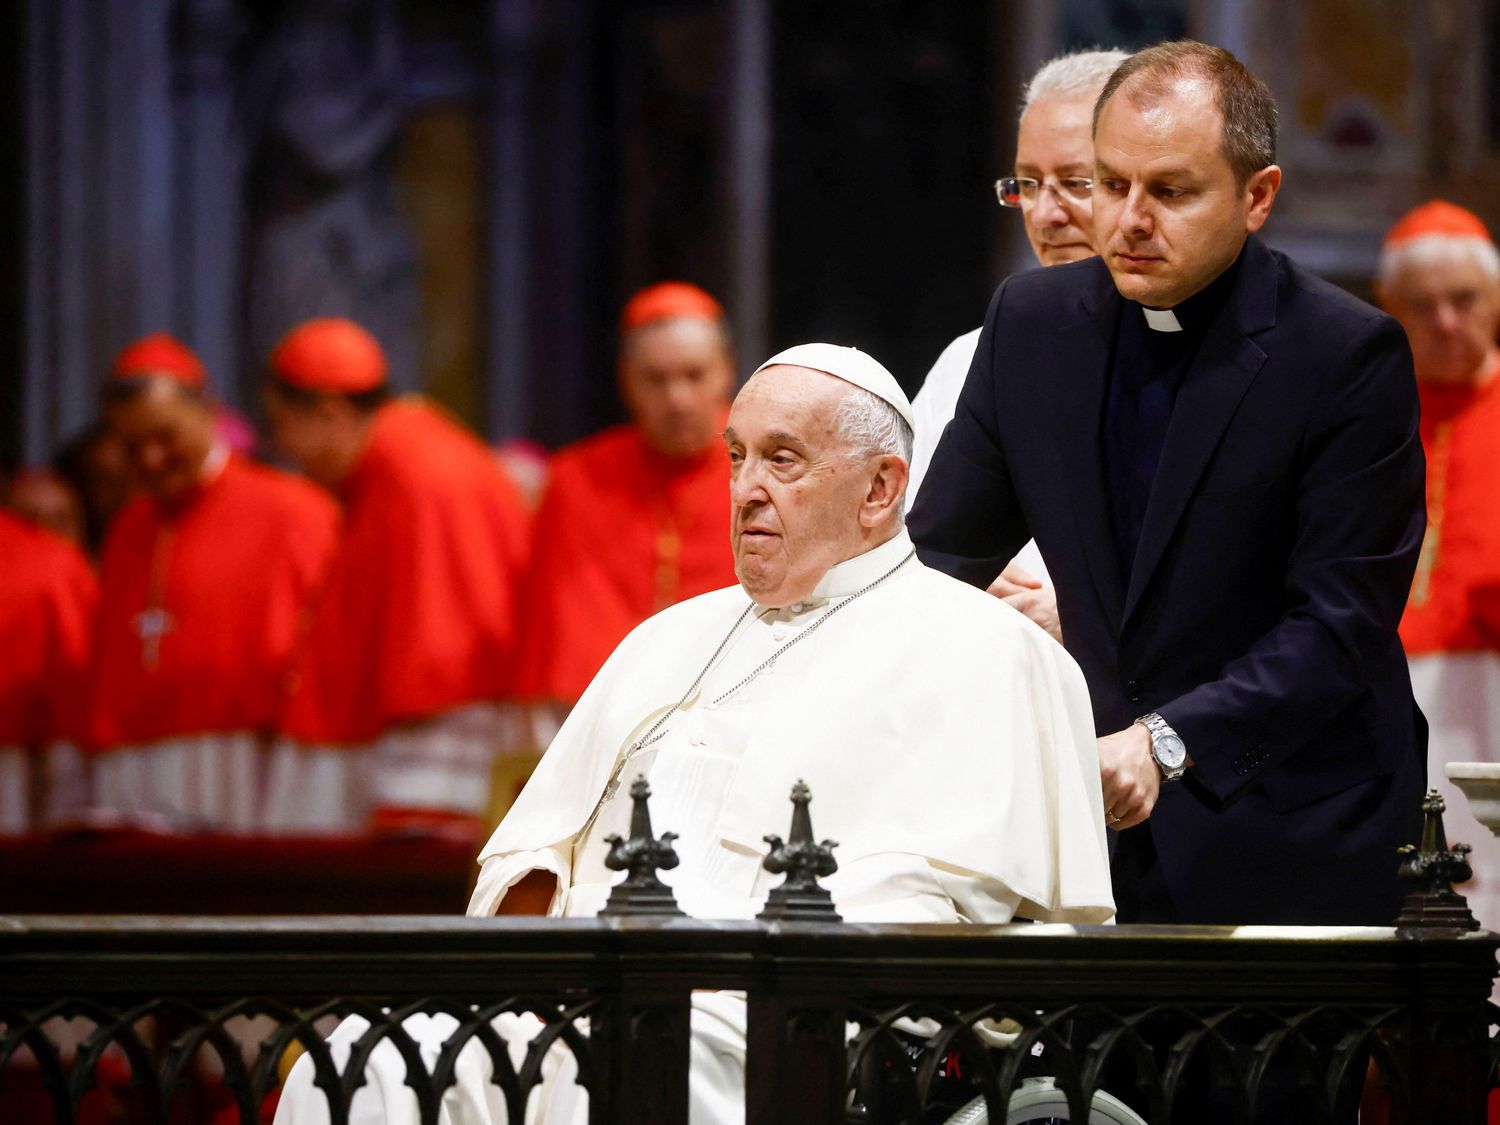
[205,583]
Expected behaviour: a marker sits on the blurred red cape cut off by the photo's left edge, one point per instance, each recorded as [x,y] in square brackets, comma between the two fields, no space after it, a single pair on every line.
[47,605]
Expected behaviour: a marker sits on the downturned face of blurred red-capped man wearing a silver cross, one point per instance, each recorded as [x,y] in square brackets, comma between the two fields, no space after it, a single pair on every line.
[167,434]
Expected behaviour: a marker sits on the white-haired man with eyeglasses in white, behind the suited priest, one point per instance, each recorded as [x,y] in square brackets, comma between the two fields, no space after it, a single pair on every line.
[1052,190]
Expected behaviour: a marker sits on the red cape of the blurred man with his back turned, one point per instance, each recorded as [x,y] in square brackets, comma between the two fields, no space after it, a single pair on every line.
[419,614]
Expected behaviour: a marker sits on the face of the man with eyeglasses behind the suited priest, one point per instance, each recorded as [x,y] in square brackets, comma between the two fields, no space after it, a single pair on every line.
[1055,148]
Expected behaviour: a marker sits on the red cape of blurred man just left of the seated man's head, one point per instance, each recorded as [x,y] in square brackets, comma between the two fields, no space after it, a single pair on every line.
[623,533]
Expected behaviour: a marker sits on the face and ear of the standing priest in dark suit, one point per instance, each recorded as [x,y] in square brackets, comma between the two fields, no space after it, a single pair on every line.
[1169,215]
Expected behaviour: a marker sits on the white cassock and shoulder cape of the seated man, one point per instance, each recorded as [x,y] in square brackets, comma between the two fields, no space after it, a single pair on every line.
[949,745]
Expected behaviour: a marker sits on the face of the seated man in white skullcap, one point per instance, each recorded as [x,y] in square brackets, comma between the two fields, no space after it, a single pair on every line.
[796,487]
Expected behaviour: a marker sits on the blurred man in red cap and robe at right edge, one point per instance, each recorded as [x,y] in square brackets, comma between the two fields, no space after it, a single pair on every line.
[1441,278]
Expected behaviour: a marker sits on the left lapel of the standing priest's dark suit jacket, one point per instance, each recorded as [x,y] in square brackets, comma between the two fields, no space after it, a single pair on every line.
[1084,364]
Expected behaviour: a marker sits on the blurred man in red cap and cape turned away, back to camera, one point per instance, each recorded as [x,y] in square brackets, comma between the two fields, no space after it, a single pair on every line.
[401,701]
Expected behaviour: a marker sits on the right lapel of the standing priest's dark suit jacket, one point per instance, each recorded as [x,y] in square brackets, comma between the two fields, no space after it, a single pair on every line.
[1211,392]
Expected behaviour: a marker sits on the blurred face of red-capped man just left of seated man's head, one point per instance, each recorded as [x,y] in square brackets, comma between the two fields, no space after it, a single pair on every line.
[676,379]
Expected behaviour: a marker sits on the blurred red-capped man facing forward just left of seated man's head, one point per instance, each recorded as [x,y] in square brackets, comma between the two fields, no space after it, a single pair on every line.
[635,520]
